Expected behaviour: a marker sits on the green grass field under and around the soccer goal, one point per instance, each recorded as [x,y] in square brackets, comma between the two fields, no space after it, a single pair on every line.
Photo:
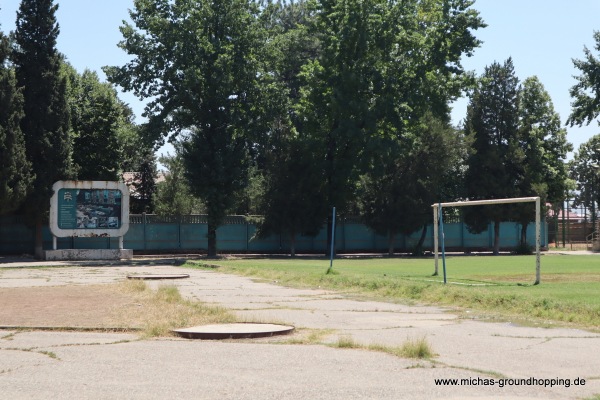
[489,287]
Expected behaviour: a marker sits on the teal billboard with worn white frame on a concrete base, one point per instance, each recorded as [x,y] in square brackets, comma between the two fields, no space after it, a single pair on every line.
[89,209]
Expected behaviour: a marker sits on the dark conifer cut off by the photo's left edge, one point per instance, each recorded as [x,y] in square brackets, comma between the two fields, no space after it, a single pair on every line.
[15,169]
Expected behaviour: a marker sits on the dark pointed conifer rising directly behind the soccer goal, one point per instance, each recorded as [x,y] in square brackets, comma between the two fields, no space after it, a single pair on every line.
[495,169]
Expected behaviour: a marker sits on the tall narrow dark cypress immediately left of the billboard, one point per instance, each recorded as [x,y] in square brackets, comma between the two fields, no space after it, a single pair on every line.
[46,120]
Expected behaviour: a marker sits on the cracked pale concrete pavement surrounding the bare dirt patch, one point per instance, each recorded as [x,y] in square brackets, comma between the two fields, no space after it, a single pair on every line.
[101,365]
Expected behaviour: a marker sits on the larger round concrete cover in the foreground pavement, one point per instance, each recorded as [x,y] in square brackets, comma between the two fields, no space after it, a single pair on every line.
[233,331]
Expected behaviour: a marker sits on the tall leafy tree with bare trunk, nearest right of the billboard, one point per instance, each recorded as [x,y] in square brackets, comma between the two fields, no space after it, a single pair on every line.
[198,62]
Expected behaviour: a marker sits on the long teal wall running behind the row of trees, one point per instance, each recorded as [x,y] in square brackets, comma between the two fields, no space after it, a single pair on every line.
[153,233]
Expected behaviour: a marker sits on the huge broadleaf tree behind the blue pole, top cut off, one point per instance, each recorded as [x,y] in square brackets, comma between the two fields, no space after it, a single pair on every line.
[382,66]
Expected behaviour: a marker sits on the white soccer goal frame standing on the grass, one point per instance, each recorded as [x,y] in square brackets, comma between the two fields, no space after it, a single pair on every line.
[437,213]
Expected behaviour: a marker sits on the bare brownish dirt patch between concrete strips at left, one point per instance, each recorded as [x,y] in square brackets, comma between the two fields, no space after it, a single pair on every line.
[98,306]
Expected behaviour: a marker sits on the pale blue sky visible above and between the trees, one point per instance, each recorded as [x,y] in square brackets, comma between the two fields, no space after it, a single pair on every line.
[542,37]
